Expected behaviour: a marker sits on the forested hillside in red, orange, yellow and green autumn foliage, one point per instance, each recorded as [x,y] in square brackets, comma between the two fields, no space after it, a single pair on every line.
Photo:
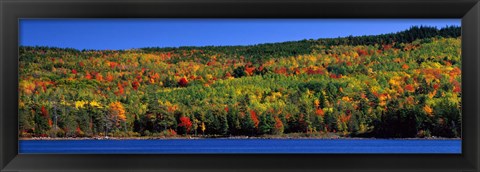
[405,84]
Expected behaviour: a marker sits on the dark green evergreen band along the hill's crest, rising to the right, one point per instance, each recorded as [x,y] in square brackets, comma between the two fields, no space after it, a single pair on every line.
[256,53]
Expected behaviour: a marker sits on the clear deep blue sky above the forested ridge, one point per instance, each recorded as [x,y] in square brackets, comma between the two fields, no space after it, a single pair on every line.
[117,34]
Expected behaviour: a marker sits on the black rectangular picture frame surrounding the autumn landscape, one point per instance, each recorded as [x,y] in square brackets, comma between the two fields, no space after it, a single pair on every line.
[13,10]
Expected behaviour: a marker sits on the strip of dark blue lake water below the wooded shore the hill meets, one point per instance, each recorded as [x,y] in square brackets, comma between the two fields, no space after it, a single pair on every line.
[188,146]
